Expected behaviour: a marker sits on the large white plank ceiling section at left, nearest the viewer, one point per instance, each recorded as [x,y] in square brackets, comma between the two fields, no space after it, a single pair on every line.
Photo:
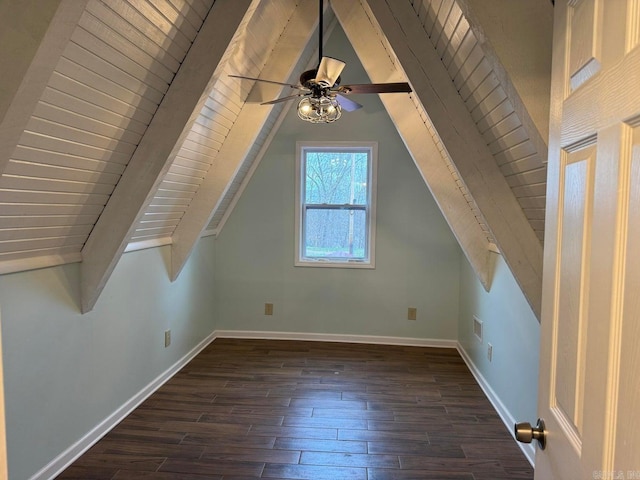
[100,77]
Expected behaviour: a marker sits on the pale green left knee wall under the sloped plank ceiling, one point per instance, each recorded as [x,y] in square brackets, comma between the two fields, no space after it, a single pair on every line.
[65,372]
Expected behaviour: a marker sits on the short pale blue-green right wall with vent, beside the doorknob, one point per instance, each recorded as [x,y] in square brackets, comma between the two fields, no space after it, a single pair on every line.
[511,327]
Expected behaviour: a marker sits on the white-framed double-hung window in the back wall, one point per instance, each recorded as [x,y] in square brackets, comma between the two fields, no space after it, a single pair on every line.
[335,204]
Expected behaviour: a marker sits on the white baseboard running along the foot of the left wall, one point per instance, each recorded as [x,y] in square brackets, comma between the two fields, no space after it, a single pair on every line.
[66,458]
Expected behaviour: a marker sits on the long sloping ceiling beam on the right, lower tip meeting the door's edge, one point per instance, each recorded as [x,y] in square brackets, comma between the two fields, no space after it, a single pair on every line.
[476,166]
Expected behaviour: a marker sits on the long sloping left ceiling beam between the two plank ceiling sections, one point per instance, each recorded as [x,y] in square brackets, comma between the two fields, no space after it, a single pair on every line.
[159,145]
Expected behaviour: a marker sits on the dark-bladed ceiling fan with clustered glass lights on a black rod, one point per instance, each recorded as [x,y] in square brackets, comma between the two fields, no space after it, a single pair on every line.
[323,98]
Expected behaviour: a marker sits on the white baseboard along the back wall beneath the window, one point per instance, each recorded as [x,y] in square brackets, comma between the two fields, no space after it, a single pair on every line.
[332,337]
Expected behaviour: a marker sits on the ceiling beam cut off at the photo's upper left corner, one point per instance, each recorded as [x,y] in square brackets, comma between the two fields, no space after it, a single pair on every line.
[25,80]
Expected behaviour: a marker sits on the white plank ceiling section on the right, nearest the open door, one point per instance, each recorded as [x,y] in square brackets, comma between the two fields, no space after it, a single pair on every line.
[484,85]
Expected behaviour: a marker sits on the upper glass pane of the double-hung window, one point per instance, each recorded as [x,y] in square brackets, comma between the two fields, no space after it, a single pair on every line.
[336,177]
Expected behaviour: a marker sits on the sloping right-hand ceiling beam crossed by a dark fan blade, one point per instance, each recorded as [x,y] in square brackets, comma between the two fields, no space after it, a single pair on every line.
[419,141]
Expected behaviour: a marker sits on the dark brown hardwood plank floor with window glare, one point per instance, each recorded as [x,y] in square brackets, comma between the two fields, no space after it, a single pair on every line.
[249,409]
